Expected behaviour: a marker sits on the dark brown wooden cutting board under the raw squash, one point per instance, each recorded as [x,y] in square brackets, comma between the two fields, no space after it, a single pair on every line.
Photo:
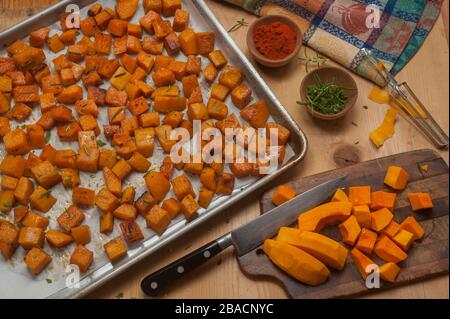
[427,257]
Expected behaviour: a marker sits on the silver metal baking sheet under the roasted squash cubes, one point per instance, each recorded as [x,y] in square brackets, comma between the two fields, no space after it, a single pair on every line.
[51,283]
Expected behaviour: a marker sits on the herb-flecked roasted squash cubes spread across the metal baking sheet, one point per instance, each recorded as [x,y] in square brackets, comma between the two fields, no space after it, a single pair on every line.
[143,102]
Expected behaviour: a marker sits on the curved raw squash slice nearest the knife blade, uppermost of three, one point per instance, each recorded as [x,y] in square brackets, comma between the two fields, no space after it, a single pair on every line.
[317,218]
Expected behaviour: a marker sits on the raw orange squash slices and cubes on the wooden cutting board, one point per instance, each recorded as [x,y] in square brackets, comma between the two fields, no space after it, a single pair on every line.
[366,224]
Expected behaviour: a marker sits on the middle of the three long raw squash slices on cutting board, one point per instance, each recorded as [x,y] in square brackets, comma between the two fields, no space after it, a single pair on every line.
[328,251]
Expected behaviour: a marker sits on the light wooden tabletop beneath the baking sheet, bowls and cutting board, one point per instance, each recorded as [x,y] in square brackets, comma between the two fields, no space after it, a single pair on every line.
[331,145]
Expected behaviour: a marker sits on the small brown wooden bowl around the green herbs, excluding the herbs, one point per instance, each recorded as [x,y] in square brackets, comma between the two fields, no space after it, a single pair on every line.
[328,74]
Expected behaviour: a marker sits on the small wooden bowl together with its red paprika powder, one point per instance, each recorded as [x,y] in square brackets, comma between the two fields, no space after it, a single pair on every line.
[274,40]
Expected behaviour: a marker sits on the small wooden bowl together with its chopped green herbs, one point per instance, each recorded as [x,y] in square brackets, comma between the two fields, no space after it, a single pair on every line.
[328,93]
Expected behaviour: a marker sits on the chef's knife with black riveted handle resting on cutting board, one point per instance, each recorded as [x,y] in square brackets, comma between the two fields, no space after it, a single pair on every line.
[245,238]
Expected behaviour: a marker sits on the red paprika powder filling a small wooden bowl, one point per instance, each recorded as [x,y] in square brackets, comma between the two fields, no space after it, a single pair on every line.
[275,40]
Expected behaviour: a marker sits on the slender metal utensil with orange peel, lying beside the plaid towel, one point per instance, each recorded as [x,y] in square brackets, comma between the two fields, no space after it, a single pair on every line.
[405,100]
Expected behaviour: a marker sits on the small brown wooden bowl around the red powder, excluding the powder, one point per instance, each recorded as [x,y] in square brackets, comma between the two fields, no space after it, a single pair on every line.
[261,58]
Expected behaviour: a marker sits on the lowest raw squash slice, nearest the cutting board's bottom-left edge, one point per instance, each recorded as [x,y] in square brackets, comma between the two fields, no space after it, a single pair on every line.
[297,263]
